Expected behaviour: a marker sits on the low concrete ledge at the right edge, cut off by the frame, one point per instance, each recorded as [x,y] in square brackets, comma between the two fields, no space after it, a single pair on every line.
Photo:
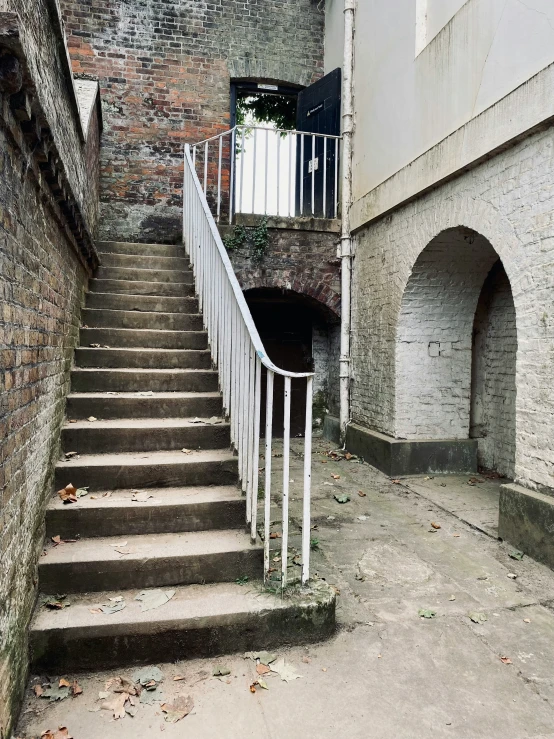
[526,520]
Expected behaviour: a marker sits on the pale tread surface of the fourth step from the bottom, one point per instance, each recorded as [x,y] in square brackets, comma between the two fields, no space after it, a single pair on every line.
[145,459]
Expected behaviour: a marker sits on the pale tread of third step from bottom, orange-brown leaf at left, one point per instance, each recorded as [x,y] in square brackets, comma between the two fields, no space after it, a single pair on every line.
[161,497]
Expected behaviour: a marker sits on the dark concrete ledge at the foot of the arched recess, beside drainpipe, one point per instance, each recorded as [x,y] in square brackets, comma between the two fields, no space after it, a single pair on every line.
[396,457]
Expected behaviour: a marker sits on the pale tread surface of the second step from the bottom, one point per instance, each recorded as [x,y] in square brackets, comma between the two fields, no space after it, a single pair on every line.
[149,547]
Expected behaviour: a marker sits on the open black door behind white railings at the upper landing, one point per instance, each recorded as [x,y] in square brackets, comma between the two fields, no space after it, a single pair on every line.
[318,111]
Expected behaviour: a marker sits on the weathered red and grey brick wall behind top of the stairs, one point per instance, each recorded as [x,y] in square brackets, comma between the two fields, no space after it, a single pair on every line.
[165,69]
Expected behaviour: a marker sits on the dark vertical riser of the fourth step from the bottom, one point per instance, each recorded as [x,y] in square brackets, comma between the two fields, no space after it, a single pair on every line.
[110,477]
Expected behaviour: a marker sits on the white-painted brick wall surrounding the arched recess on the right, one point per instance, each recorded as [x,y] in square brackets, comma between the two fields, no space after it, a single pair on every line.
[509,200]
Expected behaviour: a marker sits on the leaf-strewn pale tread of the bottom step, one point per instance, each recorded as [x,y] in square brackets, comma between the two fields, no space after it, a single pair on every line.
[191,607]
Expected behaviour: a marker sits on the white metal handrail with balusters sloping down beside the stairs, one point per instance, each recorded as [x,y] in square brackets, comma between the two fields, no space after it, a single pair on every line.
[239,354]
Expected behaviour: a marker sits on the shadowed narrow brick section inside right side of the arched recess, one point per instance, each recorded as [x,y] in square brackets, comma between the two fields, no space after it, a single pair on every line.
[493,411]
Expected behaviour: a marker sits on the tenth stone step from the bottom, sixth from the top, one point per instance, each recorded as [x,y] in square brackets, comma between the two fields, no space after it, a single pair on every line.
[95,318]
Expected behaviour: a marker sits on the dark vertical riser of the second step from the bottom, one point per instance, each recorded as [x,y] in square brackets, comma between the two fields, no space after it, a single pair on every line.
[150,572]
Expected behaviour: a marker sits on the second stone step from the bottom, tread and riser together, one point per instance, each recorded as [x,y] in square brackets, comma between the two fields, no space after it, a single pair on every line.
[149,561]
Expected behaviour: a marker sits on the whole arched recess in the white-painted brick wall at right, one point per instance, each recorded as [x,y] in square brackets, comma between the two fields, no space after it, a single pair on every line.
[456,349]
